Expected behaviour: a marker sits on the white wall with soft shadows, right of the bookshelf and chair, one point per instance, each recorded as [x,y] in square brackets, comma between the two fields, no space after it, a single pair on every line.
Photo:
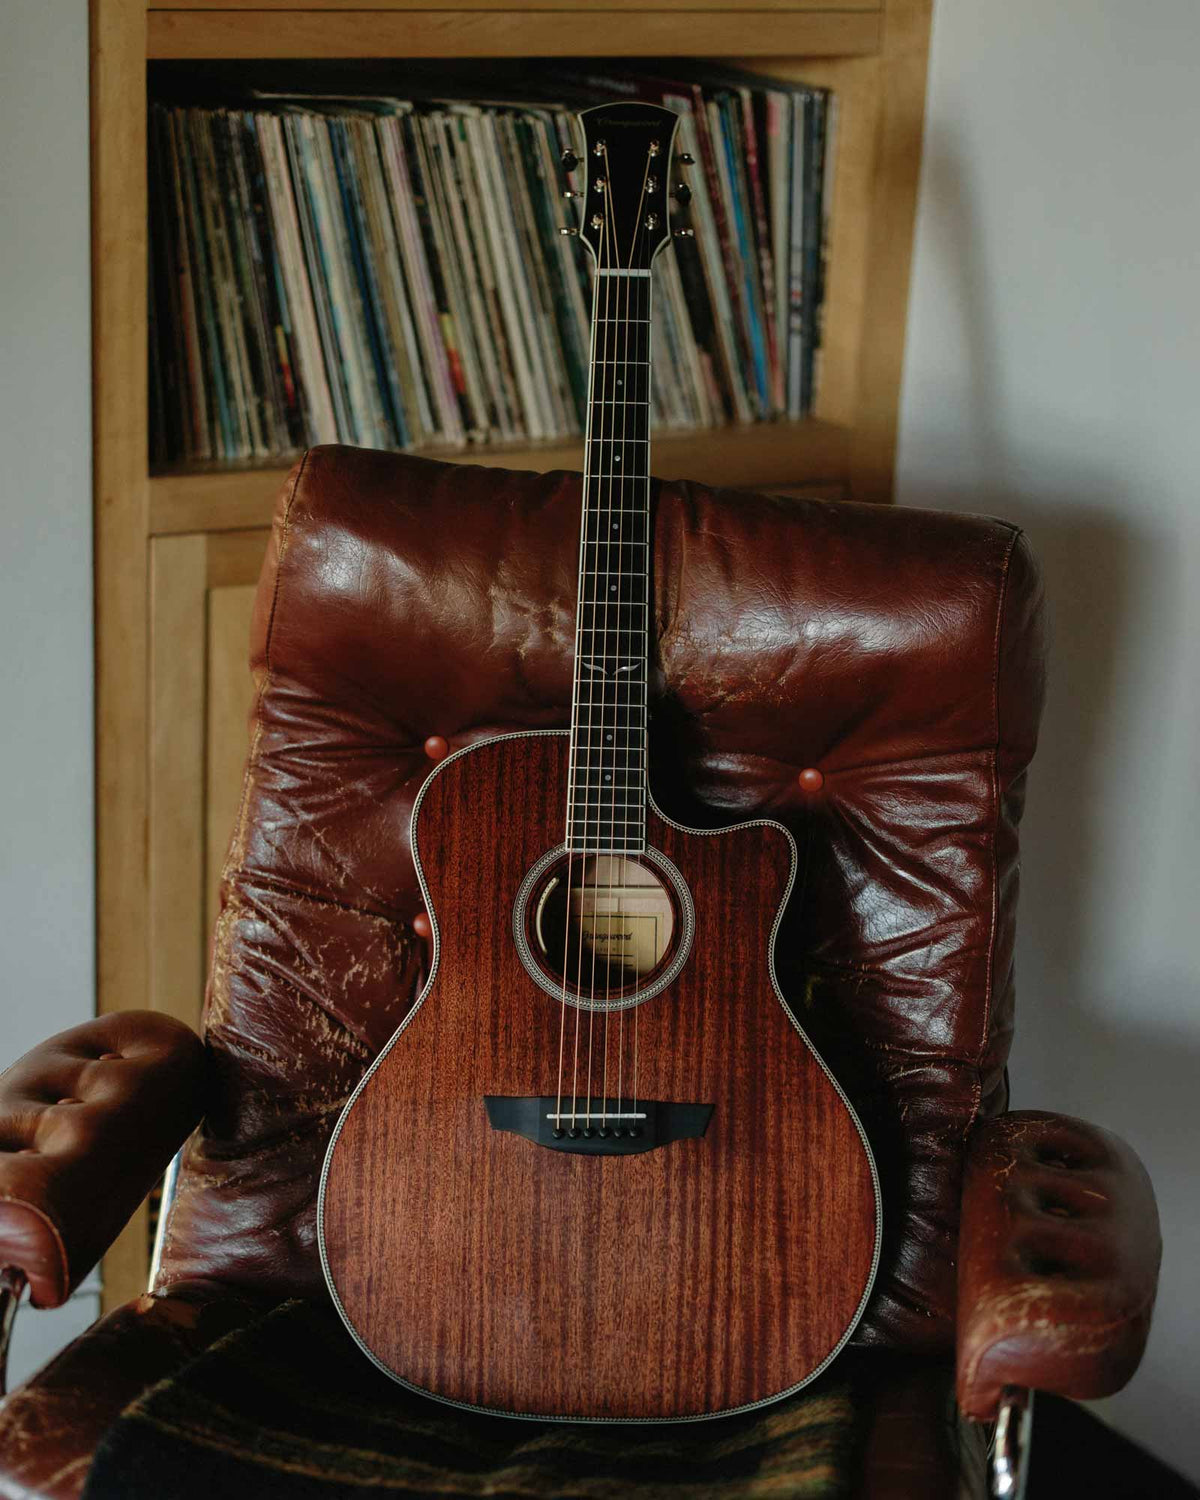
[1054,377]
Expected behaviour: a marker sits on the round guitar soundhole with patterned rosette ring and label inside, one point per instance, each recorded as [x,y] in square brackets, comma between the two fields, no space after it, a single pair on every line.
[617,928]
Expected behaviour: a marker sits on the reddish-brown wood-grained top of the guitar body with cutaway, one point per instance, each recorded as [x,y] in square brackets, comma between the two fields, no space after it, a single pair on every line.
[695,1279]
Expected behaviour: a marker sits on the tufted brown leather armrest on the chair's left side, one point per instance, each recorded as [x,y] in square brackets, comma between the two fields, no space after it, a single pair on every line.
[88,1124]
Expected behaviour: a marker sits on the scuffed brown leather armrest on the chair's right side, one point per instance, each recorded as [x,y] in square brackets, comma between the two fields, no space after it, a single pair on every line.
[1058,1261]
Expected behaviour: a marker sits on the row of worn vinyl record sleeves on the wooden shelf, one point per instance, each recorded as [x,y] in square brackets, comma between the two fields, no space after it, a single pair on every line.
[391,274]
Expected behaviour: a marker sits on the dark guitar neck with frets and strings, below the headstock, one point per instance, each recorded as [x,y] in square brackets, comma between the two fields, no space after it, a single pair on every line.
[608,781]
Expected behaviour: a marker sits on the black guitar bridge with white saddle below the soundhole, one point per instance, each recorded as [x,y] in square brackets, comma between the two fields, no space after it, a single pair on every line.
[601,1129]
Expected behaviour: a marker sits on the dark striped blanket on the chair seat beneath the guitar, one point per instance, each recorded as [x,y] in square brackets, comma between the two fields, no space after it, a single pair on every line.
[289,1409]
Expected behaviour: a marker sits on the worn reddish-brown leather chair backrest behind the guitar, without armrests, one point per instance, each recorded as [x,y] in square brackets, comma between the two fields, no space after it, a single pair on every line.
[896,652]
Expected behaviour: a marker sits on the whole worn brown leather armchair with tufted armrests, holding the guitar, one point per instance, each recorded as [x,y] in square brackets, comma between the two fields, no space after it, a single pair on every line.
[893,655]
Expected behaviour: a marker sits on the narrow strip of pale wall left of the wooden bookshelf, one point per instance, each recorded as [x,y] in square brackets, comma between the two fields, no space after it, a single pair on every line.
[47,932]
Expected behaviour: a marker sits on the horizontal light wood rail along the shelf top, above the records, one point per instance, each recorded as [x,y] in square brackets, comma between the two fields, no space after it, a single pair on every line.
[509,34]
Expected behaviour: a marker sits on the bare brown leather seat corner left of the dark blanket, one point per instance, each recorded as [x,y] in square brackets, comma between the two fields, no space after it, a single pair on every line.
[52,1426]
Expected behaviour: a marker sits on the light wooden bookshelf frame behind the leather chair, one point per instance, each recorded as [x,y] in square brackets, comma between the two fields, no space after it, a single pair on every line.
[178,553]
